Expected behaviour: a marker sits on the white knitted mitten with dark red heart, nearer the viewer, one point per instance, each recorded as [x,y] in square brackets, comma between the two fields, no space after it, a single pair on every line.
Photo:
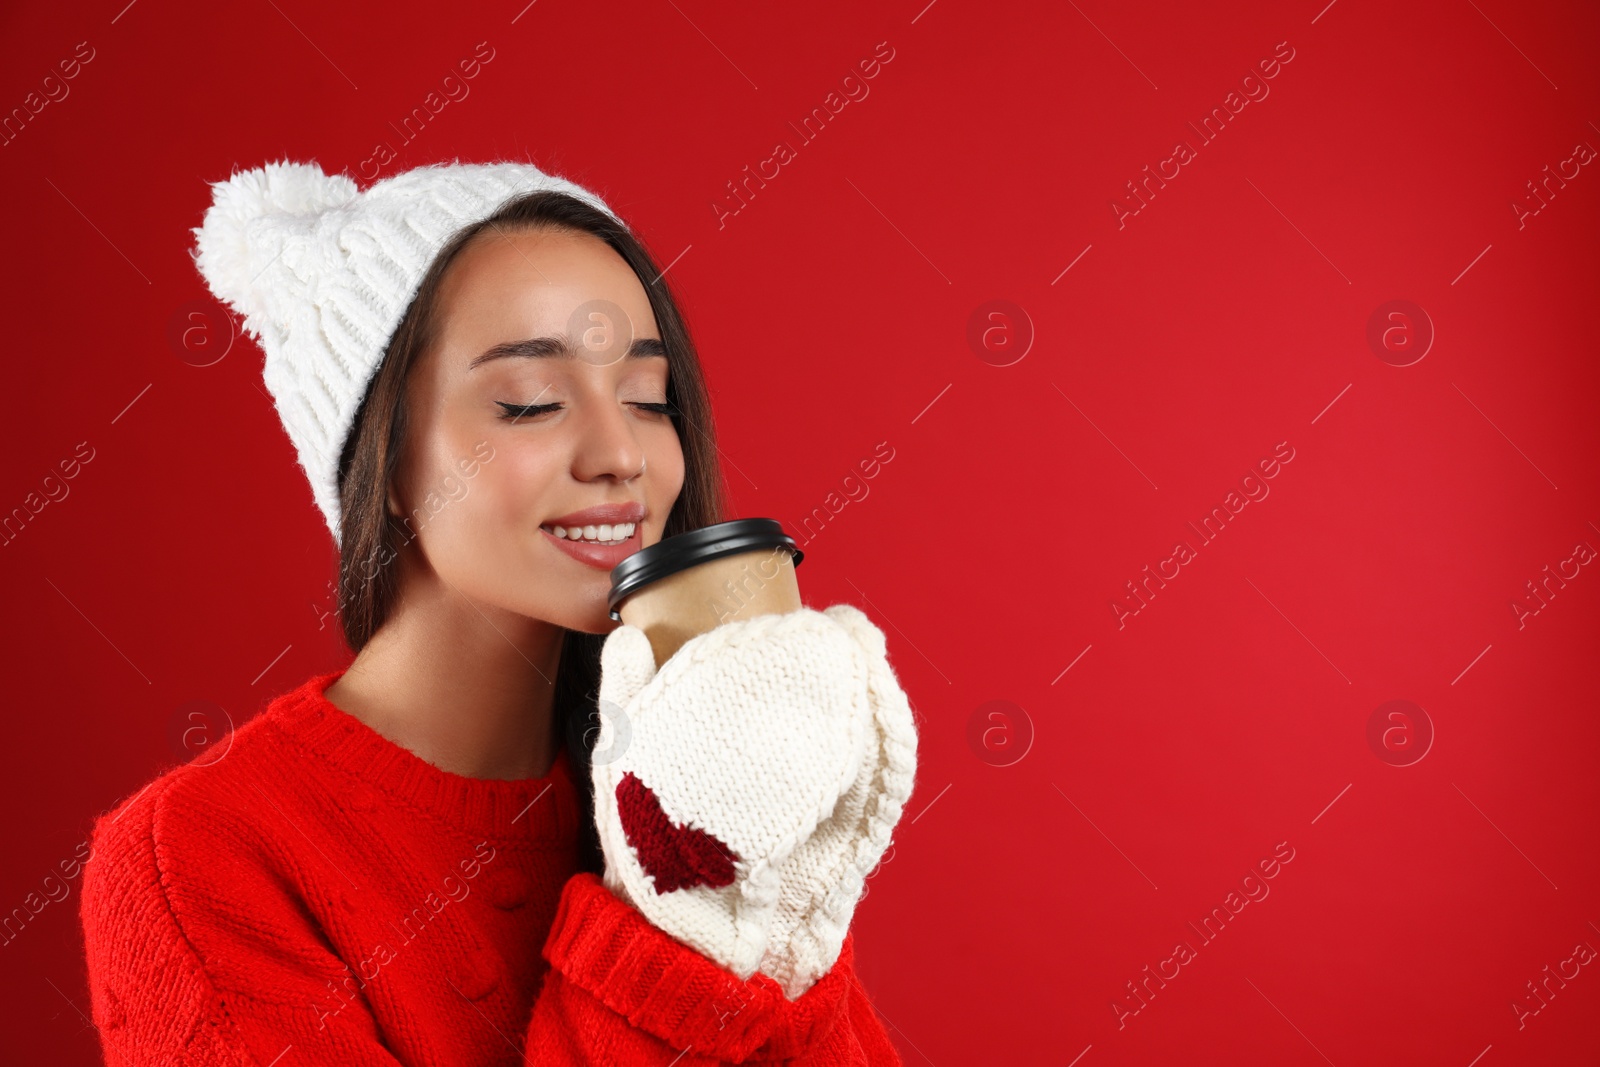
[714,770]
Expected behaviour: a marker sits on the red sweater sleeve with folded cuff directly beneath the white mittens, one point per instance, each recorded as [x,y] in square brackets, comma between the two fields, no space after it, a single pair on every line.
[622,991]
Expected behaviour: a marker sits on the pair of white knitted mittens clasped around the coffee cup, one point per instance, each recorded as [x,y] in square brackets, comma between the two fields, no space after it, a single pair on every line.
[780,746]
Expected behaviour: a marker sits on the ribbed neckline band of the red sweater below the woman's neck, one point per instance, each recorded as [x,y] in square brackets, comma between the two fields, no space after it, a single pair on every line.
[540,809]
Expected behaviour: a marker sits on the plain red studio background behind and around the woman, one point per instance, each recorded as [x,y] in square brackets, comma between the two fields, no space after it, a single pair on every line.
[1228,316]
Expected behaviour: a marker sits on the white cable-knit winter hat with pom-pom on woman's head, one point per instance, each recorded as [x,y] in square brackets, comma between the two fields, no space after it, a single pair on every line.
[322,274]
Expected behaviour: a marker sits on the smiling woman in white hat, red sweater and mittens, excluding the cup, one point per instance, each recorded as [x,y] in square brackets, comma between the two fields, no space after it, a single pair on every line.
[497,399]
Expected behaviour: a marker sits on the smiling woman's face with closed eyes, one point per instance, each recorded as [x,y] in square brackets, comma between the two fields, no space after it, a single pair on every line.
[534,406]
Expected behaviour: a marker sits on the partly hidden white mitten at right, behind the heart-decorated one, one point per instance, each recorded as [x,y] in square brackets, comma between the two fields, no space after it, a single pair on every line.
[826,876]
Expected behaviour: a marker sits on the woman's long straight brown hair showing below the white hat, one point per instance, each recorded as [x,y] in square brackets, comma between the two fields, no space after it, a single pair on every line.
[370,540]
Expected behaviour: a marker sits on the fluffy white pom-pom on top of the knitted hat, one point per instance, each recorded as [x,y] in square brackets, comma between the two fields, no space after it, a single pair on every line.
[252,217]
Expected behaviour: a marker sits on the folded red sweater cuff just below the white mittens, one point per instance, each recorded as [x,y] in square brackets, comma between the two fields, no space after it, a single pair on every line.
[606,946]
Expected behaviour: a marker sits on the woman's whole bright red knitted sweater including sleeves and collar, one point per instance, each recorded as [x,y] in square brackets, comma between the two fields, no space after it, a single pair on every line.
[321,895]
